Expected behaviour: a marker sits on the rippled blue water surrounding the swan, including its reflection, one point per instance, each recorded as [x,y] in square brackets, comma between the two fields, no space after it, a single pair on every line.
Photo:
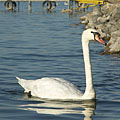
[39,44]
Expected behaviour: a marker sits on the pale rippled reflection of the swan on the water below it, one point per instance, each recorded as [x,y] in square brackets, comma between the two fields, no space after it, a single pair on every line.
[62,107]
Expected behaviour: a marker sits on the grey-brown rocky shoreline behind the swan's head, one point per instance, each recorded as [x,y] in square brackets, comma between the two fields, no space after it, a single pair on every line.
[106,19]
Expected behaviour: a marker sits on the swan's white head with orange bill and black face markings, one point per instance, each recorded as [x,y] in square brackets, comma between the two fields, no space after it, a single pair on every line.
[92,34]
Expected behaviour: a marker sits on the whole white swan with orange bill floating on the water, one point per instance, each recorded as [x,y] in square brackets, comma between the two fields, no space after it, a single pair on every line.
[57,88]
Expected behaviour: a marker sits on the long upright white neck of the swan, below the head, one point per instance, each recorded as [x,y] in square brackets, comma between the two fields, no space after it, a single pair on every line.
[89,91]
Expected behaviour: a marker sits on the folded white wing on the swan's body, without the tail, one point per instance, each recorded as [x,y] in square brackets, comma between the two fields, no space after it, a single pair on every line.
[53,88]
